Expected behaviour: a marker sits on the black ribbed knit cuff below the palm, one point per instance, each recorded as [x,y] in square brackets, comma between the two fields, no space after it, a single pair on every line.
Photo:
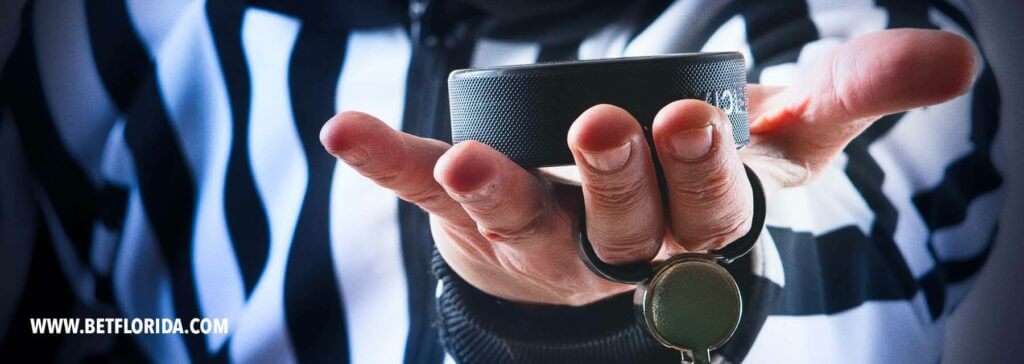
[477,328]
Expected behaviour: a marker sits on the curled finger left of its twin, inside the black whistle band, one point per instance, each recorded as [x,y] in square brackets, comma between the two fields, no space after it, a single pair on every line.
[623,204]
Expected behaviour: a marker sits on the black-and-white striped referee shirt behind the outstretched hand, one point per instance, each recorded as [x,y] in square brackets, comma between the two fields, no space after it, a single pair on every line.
[162,159]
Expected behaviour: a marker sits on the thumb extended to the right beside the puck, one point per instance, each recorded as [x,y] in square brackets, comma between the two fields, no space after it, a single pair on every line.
[875,75]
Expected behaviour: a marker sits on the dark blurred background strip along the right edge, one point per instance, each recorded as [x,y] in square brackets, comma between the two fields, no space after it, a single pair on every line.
[987,328]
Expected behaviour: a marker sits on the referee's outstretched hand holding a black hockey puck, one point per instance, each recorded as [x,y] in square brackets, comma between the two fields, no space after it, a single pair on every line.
[511,234]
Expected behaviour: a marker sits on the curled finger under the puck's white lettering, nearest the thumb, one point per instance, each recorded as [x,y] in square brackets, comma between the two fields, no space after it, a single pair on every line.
[710,197]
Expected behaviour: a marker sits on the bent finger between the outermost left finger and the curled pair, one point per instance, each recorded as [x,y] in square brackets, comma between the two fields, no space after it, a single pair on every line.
[510,206]
